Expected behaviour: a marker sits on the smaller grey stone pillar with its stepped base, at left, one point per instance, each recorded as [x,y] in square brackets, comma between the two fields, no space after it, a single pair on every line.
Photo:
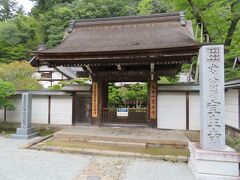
[25,131]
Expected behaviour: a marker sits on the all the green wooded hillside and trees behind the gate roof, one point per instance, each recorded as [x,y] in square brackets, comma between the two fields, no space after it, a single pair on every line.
[49,20]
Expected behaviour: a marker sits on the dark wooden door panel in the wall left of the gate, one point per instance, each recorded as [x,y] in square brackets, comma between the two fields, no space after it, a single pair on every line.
[83,109]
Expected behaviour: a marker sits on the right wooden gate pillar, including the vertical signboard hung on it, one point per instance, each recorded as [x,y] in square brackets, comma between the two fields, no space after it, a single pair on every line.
[152,104]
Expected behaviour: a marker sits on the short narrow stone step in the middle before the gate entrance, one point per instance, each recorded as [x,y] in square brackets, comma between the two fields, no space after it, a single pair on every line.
[117,144]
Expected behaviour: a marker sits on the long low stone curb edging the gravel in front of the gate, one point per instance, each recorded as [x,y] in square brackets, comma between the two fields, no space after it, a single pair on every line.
[182,159]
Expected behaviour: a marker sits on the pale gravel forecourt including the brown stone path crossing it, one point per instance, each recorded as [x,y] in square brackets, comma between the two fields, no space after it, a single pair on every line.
[24,164]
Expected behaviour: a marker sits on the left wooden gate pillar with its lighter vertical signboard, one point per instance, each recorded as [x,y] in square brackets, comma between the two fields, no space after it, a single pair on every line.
[96,102]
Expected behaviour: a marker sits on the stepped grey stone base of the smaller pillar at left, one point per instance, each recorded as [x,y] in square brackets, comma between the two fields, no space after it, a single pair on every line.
[25,133]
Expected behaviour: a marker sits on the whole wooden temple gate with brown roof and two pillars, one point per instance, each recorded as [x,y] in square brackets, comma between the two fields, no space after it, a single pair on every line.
[124,49]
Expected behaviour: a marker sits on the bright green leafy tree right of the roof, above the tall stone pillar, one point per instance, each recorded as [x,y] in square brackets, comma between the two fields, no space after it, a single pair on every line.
[219,18]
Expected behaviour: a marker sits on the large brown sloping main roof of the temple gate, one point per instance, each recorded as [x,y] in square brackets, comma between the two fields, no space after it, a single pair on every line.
[161,38]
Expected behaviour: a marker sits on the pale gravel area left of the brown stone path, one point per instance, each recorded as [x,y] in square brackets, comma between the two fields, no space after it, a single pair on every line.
[22,164]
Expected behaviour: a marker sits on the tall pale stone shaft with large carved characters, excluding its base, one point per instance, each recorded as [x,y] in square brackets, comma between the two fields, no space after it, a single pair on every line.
[212,97]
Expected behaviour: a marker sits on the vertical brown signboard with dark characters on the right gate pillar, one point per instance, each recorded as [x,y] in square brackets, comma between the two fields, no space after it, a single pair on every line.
[153,100]
